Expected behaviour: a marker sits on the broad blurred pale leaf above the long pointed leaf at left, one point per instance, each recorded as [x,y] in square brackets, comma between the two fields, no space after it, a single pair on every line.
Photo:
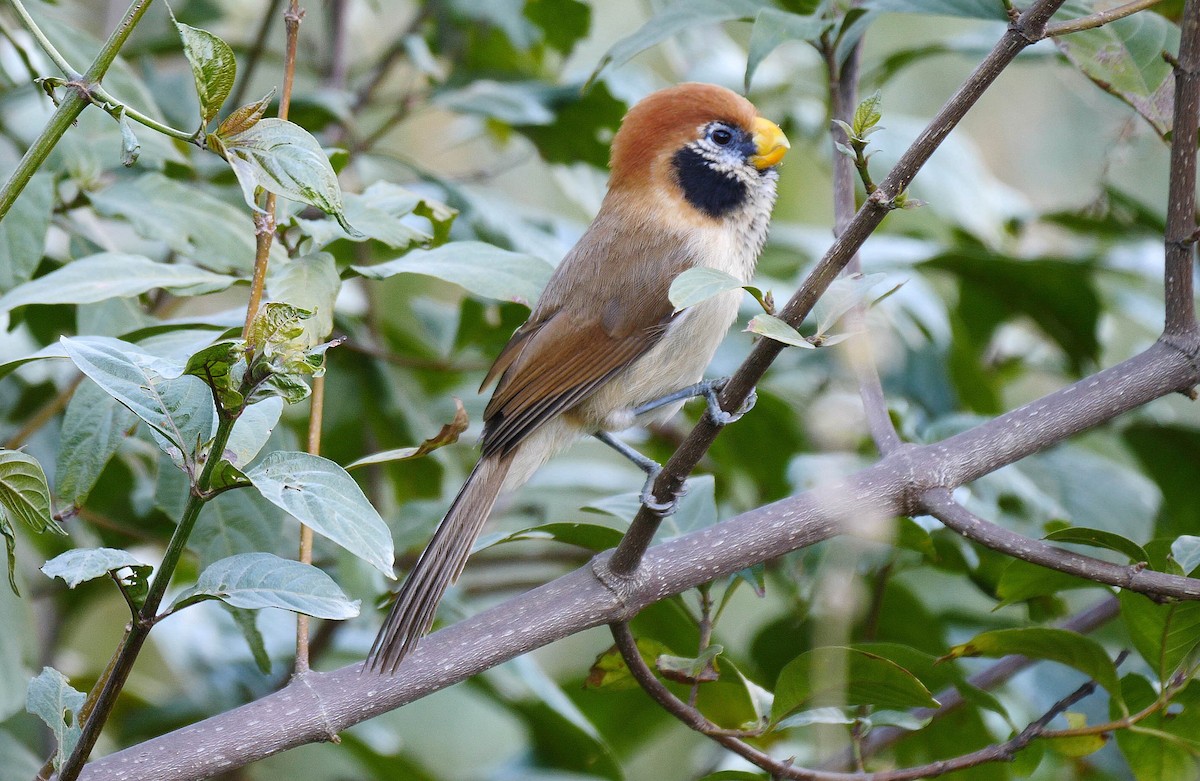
[191,221]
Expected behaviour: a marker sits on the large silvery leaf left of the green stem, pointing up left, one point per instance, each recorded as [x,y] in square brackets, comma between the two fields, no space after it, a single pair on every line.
[179,410]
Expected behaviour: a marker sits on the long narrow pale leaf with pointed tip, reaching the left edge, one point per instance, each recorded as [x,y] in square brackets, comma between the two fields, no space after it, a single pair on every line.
[112,275]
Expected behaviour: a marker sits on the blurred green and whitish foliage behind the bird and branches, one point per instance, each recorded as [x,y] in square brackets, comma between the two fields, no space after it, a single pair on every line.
[1036,261]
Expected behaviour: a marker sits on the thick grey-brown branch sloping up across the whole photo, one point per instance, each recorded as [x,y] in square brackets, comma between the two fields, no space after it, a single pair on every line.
[591,597]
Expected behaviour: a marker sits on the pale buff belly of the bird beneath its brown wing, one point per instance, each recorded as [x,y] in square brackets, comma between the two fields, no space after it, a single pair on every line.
[676,362]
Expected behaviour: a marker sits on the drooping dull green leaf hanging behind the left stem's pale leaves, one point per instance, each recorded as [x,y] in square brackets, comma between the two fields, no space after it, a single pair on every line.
[94,428]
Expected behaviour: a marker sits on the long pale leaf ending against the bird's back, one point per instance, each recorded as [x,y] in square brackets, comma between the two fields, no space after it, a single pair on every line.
[481,268]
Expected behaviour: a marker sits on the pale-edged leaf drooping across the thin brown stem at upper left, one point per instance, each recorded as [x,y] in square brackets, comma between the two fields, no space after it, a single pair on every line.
[284,159]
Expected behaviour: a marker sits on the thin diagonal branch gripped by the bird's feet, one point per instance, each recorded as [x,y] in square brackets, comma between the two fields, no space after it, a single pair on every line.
[1022,33]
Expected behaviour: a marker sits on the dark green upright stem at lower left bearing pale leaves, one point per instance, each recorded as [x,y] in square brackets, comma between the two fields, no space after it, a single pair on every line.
[119,672]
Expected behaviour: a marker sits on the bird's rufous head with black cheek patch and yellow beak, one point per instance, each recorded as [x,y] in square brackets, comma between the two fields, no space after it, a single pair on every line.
[700,145]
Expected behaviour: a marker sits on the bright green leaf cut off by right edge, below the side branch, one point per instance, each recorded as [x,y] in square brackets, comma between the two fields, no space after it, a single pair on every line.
[1165,635]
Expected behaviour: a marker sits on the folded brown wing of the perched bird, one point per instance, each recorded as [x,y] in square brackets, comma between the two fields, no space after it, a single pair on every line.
[577,340]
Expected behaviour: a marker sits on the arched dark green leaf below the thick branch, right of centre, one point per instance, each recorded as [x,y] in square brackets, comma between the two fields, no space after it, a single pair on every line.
[869,681]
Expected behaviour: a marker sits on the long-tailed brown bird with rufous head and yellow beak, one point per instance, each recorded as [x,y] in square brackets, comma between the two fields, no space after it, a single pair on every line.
[693,183]
